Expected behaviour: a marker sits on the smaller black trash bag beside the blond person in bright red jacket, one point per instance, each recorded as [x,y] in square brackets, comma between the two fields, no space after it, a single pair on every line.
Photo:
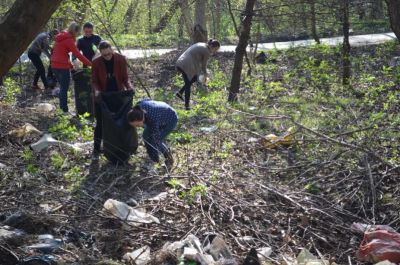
[83,91]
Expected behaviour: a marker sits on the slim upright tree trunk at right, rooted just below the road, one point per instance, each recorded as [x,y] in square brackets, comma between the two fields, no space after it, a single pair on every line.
[346,44]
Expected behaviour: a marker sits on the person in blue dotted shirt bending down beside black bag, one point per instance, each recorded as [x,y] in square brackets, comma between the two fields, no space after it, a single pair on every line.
[158,119]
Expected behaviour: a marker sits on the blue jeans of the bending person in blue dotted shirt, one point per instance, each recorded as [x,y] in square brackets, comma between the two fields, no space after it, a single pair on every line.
[151,146]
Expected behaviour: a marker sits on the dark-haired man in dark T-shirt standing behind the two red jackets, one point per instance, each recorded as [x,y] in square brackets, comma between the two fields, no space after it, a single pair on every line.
[89,43]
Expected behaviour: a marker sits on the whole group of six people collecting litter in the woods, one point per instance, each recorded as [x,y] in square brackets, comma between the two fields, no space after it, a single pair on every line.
[110,74]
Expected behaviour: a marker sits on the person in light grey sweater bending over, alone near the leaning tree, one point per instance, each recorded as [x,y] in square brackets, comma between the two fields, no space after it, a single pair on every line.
[192,63]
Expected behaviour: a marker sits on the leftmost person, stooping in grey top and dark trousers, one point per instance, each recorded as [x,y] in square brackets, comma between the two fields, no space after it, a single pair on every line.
[40,44]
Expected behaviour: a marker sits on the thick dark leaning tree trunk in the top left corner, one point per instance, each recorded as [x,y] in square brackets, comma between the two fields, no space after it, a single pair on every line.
[22,17]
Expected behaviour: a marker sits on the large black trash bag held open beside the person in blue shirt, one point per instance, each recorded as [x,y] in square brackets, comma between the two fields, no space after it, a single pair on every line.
[120,140]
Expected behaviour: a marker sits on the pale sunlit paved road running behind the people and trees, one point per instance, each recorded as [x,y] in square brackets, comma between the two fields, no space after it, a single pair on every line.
[357,40]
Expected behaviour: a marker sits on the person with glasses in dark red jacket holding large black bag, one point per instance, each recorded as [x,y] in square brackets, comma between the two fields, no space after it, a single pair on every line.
[109,74]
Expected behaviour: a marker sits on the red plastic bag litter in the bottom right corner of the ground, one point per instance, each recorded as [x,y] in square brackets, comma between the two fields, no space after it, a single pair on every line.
[380,245]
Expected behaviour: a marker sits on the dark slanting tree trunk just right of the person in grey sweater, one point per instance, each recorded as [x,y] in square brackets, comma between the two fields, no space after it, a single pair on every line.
[241,50]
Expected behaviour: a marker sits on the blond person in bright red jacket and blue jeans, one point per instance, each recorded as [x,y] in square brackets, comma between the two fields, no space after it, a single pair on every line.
[61,63]
